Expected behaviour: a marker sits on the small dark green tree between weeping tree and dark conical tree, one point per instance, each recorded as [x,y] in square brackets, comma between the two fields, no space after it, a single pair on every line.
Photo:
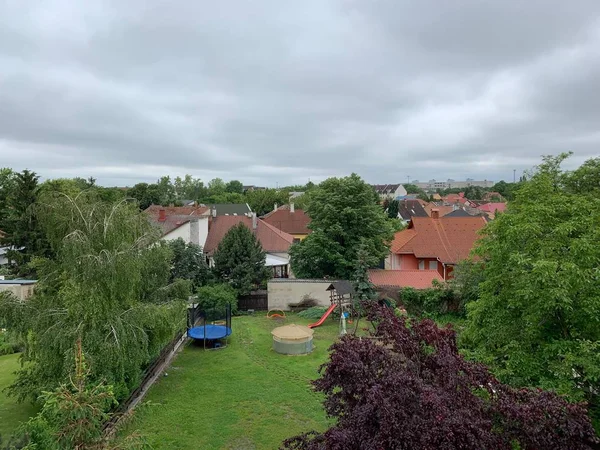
[189,263]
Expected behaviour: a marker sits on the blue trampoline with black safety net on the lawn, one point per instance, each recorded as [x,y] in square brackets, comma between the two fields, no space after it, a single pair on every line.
[210,326]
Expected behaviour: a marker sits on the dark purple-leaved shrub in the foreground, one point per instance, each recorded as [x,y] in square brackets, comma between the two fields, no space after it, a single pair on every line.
[408,387]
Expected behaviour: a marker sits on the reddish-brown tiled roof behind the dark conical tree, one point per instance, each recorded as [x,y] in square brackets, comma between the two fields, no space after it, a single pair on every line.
[271,239]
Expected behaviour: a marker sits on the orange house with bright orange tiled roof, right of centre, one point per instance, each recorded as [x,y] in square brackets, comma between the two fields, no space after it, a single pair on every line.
[434,243]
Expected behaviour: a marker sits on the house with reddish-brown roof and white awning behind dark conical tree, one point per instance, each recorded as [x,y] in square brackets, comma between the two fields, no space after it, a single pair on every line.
[274,242]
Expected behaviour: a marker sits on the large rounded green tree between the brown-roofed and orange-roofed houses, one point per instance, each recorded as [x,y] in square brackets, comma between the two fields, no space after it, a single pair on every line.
[344,214]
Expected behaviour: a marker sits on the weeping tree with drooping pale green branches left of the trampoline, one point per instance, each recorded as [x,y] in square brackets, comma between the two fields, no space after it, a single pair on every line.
[108,285]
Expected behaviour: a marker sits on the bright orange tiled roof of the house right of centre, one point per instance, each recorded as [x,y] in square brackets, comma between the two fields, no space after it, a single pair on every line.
[449,239]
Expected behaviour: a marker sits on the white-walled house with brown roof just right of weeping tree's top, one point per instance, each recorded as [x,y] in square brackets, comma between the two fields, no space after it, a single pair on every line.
[189,223]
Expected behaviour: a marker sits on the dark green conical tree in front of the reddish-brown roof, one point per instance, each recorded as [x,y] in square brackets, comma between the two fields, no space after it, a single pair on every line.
[240,260]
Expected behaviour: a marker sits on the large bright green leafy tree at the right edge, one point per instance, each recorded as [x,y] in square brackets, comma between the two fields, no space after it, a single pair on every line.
[537,320]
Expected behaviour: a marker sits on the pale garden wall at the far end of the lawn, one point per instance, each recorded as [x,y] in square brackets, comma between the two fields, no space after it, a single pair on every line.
[283,292]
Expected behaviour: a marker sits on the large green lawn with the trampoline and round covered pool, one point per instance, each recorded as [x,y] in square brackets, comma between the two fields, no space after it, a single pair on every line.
[244,396]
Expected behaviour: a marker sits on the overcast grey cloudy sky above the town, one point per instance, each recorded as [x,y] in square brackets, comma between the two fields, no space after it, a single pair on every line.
[279,91]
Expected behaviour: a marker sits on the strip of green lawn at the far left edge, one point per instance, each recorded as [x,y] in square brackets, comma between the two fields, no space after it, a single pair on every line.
[11,412]
